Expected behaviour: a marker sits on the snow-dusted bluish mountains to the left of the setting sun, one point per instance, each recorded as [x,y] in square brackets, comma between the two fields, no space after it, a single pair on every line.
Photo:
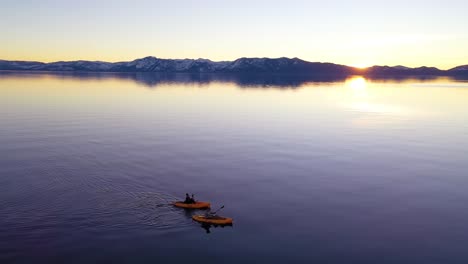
[152,64]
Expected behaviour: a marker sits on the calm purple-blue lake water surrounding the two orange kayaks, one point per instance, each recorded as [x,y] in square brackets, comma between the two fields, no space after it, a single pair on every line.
[316,170]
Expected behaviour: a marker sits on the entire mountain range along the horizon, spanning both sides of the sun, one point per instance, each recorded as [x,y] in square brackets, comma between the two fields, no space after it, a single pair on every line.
[242,65]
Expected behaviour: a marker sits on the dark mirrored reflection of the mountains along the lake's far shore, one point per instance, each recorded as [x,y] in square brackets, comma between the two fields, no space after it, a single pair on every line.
[242,80]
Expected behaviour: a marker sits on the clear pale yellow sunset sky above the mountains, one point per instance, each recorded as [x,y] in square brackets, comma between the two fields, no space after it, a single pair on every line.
[356,33]
